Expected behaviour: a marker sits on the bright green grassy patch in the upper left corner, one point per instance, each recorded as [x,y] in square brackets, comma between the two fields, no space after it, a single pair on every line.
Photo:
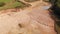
[6,4]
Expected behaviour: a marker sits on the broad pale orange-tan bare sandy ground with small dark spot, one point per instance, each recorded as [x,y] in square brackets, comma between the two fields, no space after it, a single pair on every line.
[32,20]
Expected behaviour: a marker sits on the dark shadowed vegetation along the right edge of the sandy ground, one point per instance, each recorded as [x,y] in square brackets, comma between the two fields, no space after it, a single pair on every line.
[56,11]
